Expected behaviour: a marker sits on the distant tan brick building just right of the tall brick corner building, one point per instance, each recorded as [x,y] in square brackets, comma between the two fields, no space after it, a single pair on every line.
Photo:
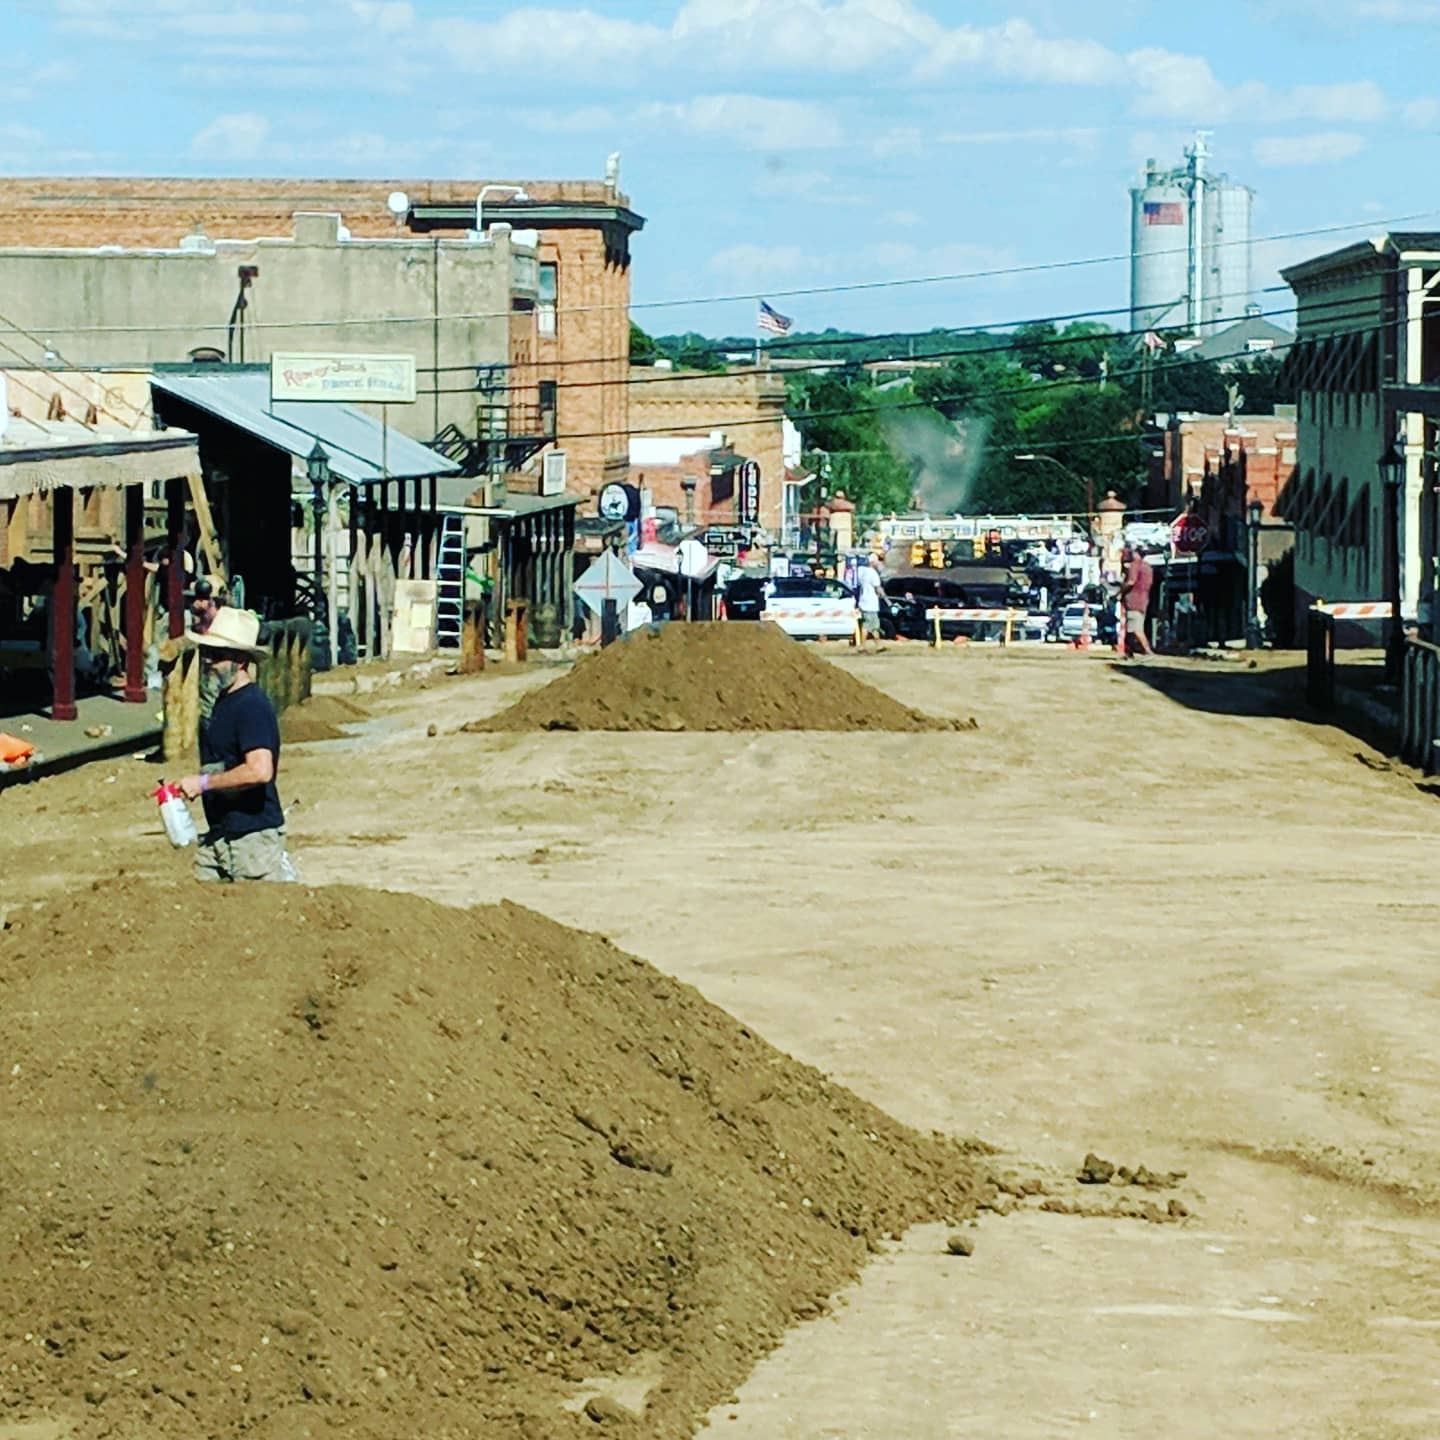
[747,407]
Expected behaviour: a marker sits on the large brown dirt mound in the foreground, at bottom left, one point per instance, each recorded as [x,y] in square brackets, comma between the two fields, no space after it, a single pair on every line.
[315,1163]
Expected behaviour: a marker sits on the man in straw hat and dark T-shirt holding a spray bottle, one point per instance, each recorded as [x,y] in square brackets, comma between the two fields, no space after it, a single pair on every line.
[240,757]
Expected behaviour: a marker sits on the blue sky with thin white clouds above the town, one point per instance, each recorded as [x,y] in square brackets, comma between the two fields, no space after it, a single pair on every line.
[773,145]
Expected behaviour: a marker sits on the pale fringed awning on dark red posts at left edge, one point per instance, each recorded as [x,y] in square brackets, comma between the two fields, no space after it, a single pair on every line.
[42,456]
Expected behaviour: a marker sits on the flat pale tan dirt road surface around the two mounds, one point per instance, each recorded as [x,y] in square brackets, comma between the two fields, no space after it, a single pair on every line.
[1135,914]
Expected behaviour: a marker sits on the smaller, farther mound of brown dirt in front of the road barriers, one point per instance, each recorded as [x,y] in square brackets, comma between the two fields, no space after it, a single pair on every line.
[708,678]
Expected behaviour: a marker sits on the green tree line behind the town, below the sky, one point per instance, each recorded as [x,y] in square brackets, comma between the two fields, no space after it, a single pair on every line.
[1079,395]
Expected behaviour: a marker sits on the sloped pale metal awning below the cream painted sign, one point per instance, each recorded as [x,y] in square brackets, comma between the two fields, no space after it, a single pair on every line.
[361,450]
